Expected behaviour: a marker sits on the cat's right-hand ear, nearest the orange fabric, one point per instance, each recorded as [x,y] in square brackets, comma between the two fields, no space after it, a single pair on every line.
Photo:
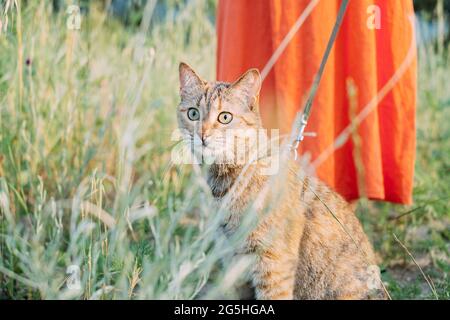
[247,87]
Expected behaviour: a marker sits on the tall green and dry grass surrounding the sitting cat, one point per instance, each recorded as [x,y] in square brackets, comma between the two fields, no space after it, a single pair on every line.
[85,135]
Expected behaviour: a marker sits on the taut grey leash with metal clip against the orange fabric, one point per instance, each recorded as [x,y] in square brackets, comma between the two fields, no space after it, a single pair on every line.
[302,117]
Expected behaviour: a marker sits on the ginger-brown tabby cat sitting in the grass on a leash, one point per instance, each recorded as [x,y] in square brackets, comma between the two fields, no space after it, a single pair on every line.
[308,243]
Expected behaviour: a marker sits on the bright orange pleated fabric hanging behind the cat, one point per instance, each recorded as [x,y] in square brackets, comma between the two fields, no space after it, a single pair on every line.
[250,30]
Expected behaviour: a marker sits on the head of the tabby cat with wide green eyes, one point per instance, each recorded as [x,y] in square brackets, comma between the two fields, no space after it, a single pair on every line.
[211,114]
